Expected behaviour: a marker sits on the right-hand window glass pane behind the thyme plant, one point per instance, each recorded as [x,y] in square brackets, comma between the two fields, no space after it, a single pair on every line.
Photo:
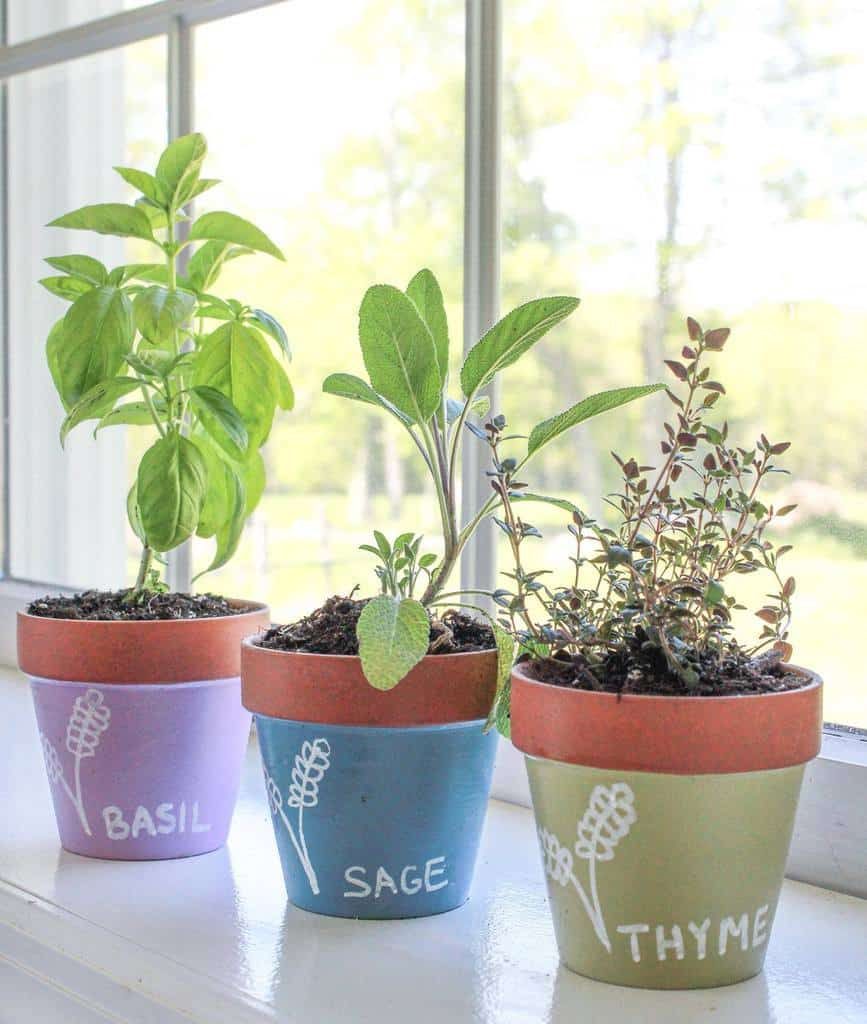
[665,159]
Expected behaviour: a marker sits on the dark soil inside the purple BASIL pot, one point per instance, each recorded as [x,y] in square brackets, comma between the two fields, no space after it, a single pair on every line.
[121,606]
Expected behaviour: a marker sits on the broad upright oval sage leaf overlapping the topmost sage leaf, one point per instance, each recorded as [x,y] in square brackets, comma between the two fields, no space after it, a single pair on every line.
[400,353]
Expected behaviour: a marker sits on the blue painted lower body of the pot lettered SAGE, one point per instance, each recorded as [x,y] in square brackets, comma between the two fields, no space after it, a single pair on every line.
[377,823]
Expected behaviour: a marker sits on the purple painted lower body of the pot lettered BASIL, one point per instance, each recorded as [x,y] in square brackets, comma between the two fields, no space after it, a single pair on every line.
[143,773]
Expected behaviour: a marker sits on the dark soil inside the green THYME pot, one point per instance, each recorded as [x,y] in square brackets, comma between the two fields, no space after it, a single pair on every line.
[641,668]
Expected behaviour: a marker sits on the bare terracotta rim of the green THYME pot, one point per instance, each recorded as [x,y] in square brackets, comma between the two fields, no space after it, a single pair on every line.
[689,736]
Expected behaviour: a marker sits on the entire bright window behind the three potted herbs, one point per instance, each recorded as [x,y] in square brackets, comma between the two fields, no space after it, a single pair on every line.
[657,159]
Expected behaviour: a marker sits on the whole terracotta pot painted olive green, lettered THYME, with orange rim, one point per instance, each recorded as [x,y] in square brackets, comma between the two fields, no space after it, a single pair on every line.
[665,825]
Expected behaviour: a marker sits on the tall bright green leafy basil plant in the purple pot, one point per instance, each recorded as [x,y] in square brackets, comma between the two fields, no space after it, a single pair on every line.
[152,345]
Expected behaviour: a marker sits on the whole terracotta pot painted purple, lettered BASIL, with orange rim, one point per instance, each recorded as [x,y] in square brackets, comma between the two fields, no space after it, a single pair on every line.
[143,730]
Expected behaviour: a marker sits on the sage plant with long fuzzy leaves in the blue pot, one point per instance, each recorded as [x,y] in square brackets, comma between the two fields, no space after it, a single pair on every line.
[406,348]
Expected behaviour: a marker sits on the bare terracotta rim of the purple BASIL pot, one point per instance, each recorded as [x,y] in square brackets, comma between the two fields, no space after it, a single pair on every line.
[157,651]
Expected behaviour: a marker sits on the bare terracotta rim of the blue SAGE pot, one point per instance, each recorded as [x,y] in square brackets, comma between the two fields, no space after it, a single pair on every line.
[331,690]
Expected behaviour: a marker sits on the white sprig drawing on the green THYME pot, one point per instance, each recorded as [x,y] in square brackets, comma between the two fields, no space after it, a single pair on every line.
[609,819]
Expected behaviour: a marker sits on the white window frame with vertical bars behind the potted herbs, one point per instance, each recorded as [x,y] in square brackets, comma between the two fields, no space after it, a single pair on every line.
[831,842]
